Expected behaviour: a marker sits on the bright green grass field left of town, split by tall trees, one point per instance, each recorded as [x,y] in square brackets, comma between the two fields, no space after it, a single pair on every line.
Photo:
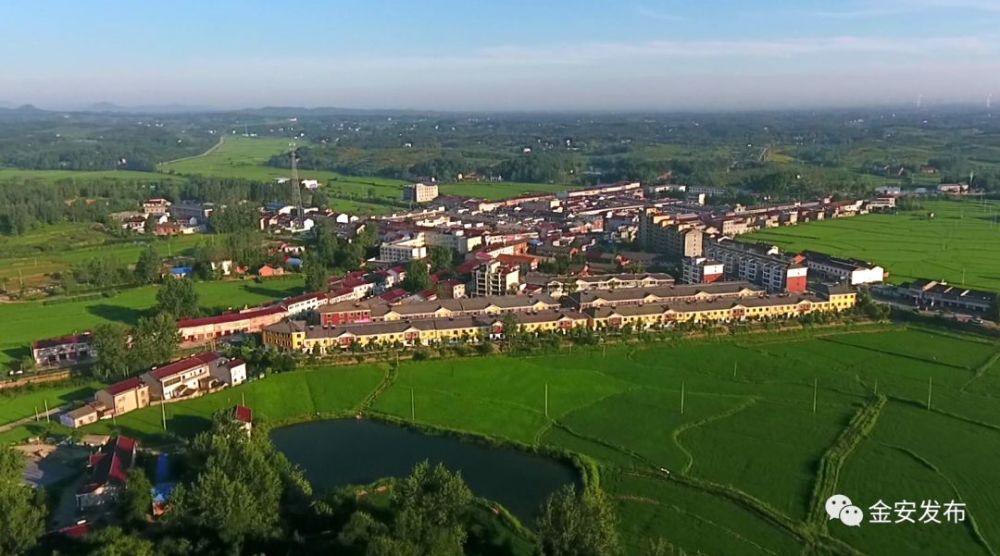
[21,323]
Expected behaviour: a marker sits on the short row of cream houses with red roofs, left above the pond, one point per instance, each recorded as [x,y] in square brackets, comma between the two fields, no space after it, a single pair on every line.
[185,378]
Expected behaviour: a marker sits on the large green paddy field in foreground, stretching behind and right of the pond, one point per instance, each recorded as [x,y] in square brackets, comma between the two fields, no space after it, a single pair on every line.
[744,453]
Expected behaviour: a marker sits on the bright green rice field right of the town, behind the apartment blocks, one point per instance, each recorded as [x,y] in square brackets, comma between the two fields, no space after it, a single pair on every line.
[962,240]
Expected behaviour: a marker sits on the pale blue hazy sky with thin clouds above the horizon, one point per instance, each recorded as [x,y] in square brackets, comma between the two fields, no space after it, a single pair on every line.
[612,55]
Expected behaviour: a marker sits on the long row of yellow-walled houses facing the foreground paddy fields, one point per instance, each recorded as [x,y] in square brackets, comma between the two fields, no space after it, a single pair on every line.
[296,335]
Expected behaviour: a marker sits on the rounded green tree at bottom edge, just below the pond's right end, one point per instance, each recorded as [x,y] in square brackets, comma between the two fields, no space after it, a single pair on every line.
[571,525]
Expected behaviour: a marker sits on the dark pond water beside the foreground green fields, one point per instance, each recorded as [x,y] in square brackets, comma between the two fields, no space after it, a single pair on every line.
[338,452]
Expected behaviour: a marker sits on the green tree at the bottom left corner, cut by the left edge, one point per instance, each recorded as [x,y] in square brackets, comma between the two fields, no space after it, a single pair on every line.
[22,520]
